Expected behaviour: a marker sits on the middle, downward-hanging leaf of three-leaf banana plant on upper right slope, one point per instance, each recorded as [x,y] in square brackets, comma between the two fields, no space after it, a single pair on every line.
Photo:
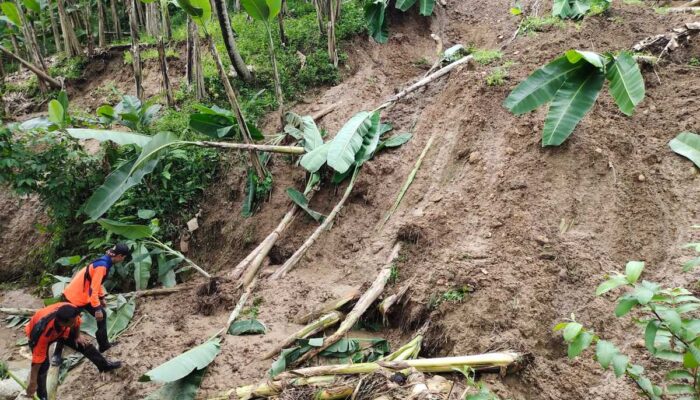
[571,103]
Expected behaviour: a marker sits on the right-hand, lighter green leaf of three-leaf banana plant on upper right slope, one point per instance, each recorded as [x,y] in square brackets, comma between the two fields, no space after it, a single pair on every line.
[626,82]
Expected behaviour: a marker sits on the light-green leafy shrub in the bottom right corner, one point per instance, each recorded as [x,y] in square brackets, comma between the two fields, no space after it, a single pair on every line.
[671,333]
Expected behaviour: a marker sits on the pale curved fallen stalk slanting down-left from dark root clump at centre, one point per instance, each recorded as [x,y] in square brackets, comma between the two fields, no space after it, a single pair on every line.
[360,307]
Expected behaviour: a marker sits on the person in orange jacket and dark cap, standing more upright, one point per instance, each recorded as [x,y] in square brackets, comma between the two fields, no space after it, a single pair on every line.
[85,292]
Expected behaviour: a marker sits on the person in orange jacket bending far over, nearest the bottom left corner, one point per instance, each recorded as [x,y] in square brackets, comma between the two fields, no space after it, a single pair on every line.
[59,322]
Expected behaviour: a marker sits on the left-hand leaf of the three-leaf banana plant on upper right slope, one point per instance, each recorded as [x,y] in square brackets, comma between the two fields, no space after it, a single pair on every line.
[541,86]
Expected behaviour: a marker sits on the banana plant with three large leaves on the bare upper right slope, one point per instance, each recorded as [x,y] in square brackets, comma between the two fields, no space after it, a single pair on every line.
[571,84]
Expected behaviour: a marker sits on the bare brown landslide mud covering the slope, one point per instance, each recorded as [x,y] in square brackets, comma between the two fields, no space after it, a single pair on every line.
[490,209]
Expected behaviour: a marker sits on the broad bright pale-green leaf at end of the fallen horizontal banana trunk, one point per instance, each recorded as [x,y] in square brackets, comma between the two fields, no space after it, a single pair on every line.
[345,145]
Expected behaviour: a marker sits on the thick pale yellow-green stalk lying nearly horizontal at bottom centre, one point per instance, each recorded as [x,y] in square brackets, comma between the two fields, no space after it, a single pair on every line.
[432,365]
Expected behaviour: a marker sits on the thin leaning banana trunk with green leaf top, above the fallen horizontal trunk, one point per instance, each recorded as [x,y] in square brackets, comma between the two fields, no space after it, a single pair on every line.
[200,12]
